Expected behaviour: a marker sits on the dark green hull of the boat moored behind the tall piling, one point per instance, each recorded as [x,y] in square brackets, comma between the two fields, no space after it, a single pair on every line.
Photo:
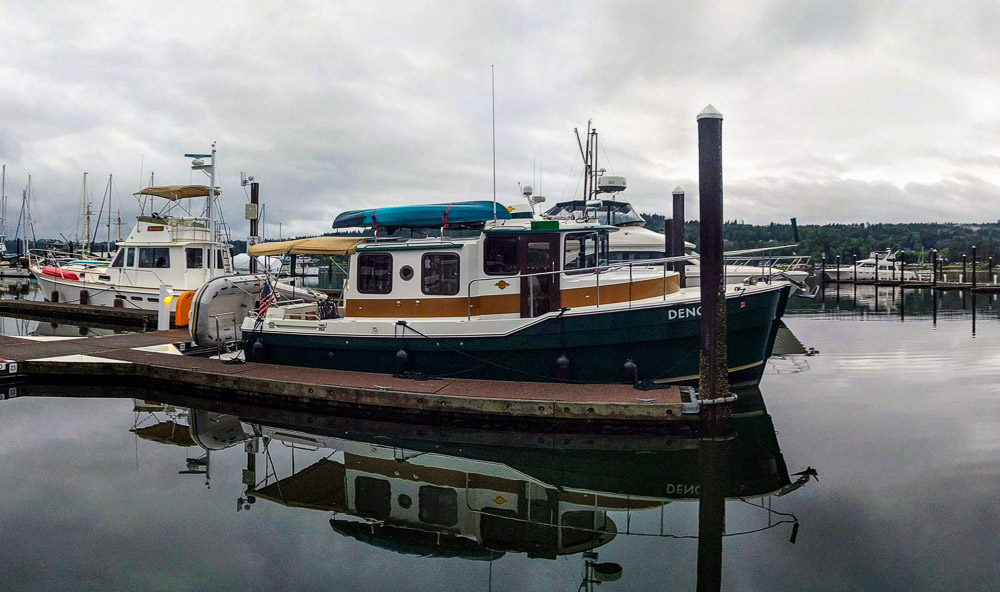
[663,342]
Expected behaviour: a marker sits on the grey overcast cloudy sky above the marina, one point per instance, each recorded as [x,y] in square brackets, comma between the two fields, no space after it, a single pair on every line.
[834,111]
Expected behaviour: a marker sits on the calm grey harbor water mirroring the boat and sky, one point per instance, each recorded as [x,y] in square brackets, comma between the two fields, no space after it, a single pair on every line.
[898,413]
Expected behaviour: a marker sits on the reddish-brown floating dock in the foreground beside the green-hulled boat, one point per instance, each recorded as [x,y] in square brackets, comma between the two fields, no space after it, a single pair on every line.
[119,359]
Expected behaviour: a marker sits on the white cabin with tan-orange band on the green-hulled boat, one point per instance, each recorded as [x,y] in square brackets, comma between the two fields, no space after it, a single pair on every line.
[515,268]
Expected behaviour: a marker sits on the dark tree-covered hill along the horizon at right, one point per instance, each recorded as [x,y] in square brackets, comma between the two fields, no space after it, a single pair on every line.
[846,240]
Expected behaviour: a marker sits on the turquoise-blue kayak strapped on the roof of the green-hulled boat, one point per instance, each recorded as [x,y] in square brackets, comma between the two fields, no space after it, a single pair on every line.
[424,216]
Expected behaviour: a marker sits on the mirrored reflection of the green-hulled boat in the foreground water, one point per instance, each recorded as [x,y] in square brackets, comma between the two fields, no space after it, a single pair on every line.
[478,495]
